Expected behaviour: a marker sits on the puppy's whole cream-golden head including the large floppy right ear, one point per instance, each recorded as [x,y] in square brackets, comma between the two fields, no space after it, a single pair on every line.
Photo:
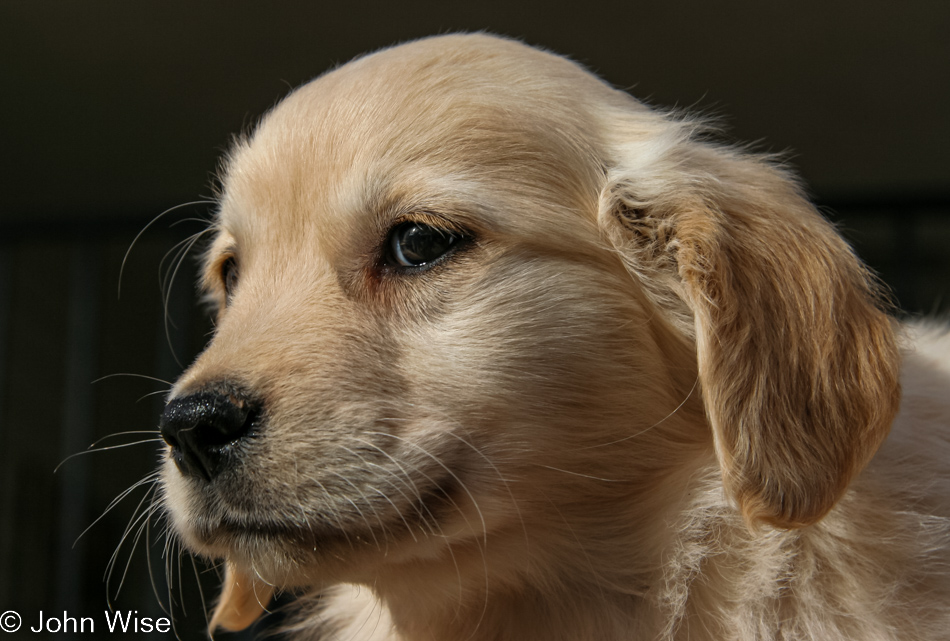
[471,301]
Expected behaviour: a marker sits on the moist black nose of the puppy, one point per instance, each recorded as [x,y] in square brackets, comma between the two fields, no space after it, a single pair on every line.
[202,430]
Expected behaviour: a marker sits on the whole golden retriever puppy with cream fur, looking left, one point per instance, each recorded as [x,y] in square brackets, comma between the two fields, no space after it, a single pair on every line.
[502,354]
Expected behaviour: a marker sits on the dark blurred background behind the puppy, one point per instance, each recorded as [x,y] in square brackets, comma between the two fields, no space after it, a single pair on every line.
[113,112]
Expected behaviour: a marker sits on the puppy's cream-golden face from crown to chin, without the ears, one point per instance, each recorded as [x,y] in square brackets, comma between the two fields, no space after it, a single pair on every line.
[417,317]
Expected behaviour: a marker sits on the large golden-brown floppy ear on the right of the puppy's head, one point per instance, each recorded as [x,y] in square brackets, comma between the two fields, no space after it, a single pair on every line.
[797,363]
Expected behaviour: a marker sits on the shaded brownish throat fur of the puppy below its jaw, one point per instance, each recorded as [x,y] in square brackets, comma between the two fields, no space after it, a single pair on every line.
[502,587]
